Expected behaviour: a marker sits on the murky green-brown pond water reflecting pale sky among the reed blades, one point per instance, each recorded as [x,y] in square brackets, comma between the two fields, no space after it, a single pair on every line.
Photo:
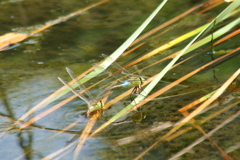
[29,71]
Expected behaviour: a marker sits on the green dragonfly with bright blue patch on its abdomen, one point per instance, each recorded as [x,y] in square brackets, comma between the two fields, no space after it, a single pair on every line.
[134,81]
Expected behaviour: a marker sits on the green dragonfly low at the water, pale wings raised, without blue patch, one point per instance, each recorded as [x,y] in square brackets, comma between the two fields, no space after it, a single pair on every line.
[94,104]
